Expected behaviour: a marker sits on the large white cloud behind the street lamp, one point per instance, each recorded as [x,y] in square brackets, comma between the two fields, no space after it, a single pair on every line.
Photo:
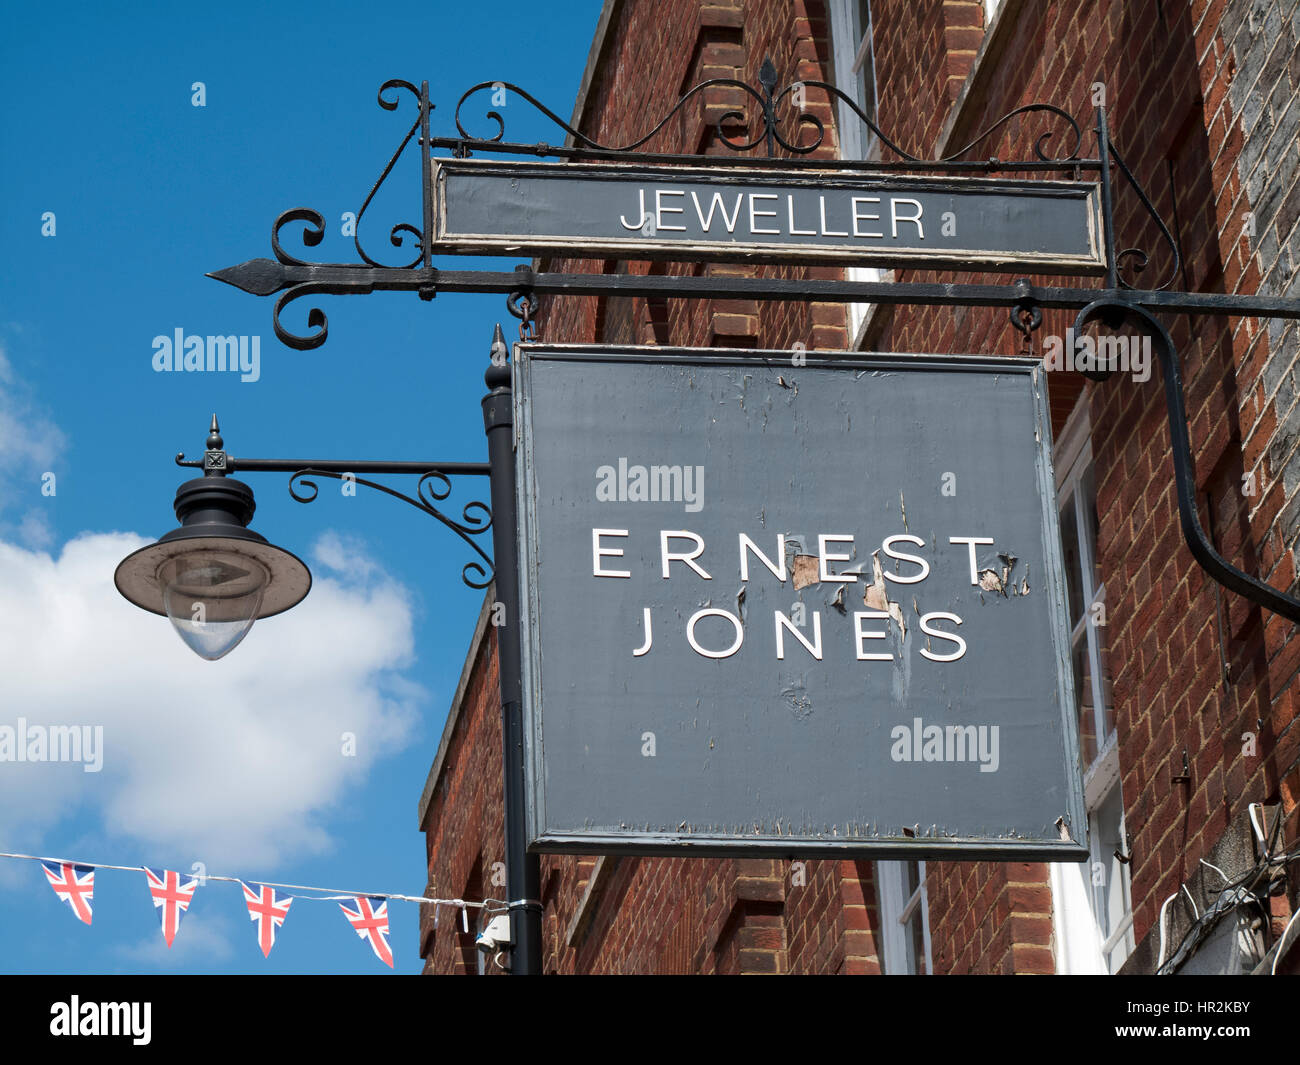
[235,763]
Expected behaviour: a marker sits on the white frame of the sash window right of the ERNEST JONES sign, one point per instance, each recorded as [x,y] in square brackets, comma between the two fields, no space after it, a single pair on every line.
[1081,946]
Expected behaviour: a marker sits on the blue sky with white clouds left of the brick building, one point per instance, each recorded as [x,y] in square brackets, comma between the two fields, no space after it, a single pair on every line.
[236,764]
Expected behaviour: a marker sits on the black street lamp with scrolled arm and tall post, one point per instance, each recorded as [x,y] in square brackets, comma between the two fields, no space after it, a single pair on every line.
[214,578]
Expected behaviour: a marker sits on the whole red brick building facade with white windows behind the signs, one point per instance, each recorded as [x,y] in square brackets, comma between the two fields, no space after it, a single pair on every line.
[1204,103]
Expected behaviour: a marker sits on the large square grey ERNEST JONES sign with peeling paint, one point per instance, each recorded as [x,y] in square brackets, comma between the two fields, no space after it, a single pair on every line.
[794,605]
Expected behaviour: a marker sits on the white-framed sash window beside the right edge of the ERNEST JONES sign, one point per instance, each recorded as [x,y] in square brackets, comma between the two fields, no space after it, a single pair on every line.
[1093,907]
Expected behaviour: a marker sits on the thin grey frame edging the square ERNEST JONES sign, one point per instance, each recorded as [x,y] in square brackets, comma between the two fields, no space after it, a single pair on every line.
[1064,832]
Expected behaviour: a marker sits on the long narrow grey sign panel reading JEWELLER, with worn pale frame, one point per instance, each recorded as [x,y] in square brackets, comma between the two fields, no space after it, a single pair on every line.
[599,211]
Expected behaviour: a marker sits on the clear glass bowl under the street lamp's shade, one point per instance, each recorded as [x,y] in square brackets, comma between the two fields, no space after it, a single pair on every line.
[213,599]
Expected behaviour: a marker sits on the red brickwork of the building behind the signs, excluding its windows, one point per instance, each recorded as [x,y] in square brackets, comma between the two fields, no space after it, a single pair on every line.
[1163,67]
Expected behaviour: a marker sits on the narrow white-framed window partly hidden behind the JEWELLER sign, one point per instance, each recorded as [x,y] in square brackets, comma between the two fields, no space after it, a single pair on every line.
[856,77]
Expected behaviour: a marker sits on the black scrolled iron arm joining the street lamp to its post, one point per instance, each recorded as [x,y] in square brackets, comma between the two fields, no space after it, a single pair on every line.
[432,490]
